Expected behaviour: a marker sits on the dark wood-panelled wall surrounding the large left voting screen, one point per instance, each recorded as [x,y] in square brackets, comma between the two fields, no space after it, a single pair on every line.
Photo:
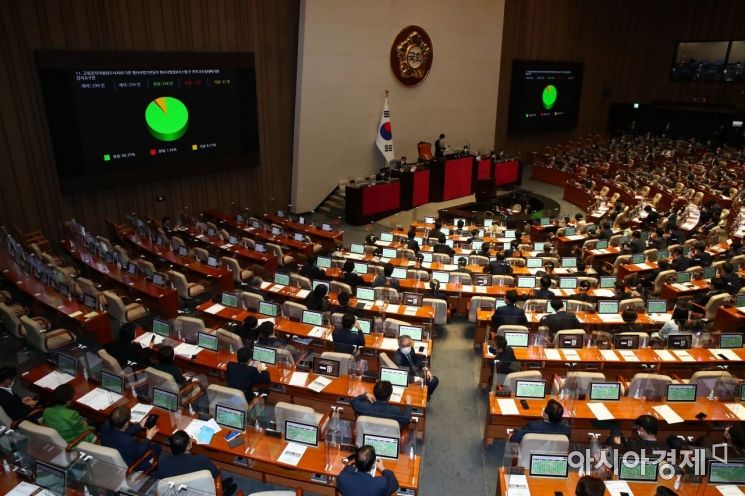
[30,196]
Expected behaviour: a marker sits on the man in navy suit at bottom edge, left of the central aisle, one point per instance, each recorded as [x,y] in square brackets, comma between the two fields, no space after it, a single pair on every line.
[359,479]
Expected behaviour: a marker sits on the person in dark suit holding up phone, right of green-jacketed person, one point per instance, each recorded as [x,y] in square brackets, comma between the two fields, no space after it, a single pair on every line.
[119,433]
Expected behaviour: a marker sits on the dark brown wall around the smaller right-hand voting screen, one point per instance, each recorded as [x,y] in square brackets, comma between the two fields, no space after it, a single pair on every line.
[627,48]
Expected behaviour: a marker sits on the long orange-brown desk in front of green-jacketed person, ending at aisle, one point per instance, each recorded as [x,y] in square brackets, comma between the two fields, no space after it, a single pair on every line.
[261,450]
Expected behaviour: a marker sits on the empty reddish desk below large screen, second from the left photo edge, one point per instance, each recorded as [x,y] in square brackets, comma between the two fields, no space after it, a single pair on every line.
[162,299]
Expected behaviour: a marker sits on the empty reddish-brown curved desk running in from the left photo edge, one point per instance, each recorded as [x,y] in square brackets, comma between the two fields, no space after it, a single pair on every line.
[95,323]
